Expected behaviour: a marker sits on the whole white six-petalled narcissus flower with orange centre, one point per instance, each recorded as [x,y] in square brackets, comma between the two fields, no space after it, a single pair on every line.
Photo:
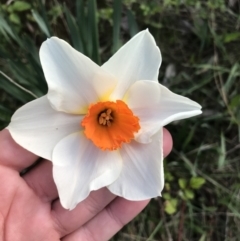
[101,126]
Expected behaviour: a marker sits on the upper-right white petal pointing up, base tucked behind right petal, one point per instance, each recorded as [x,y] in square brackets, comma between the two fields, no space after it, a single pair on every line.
[138,59]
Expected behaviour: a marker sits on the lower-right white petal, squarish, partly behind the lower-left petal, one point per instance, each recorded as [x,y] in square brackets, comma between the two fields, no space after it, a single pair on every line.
[142,175]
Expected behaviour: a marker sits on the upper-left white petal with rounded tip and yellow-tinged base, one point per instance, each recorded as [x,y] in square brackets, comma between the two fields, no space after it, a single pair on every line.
[74,81]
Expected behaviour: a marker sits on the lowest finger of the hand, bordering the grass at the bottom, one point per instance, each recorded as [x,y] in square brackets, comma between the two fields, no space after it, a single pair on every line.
[108,222]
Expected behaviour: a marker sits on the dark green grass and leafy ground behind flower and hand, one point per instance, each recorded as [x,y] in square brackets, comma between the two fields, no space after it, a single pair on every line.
[200,45]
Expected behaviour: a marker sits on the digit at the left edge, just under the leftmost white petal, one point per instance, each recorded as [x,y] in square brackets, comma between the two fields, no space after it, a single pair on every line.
[13,155]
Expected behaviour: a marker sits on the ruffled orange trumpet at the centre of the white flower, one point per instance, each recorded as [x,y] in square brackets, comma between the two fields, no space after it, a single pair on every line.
[109,124]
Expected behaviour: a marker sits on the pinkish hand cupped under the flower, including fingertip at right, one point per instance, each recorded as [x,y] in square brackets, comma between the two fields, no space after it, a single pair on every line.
[30,209]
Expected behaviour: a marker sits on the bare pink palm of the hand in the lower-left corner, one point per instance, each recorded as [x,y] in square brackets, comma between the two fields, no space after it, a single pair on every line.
[24,216]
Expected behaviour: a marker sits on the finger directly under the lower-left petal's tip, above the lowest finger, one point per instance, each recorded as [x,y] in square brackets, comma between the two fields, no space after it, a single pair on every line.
[68,221]
